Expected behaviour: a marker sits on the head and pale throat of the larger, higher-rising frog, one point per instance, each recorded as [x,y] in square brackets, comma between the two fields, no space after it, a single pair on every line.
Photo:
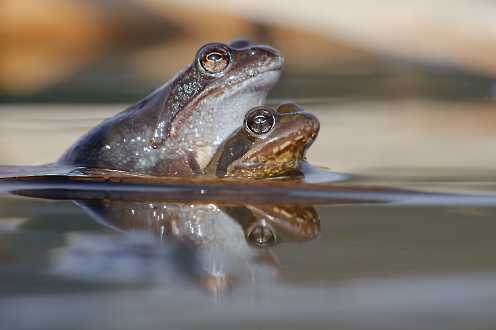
[206,102]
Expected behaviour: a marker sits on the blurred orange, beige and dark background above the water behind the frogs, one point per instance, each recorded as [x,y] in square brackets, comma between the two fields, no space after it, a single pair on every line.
[398,85]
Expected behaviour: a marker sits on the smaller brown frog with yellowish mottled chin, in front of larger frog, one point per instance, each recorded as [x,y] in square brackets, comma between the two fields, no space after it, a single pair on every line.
[270,143]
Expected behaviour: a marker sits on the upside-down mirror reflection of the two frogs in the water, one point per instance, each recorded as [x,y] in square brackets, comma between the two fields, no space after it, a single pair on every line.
[223,246]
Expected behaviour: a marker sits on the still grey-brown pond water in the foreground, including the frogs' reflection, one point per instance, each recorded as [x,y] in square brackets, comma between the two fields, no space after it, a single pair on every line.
[350,254]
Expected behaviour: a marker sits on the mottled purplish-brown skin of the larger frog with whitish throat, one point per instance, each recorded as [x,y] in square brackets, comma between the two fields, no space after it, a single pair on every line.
[177,129]
